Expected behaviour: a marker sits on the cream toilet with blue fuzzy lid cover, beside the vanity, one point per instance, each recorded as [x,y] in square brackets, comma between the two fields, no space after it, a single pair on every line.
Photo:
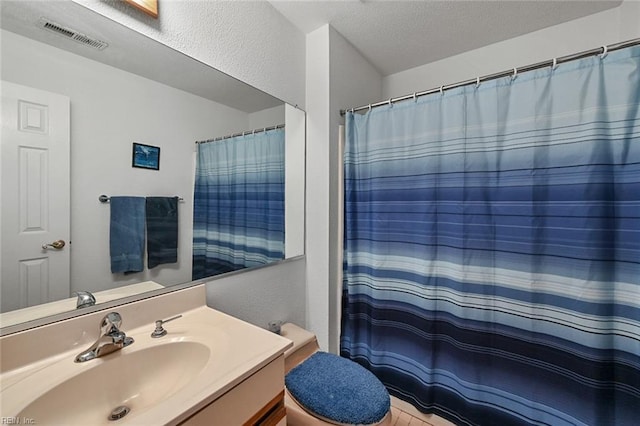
[325,389]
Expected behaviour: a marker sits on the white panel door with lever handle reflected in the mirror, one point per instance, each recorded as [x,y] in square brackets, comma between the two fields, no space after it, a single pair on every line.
[35,195]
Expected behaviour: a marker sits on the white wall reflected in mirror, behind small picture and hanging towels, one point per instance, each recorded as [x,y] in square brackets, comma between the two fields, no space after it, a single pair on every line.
[129,109]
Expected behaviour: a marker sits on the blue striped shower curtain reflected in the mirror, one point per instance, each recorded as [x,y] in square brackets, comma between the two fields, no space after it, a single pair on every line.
[238,212]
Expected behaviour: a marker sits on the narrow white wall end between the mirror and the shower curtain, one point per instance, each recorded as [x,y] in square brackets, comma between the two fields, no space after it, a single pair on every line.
[337,77]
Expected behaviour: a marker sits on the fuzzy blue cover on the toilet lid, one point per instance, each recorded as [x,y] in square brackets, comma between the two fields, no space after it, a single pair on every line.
[338,389]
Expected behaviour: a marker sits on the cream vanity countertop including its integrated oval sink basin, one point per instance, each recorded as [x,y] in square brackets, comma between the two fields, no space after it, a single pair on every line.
[162,381]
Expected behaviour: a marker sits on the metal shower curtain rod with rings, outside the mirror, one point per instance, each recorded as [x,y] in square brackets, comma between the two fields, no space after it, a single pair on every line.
[512,72]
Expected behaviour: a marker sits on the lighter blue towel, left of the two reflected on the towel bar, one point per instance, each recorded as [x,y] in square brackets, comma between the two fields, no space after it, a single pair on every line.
[126,234]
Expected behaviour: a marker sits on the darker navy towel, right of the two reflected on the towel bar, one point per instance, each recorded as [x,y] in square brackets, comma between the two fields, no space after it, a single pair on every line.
[162,230]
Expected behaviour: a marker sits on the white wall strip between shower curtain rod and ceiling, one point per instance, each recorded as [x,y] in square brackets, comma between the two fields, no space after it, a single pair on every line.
[611,26]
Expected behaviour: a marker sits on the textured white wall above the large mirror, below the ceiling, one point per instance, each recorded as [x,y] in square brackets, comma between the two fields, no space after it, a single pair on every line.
[248,40]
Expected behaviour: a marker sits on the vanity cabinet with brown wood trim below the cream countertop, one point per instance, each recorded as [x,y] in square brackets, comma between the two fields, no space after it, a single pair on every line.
[257,400]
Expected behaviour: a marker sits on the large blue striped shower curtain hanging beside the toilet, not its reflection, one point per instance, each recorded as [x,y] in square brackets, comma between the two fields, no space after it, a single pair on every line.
[492,247]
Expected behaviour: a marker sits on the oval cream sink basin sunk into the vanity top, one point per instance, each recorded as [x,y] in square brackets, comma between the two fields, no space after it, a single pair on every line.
[137,380]
